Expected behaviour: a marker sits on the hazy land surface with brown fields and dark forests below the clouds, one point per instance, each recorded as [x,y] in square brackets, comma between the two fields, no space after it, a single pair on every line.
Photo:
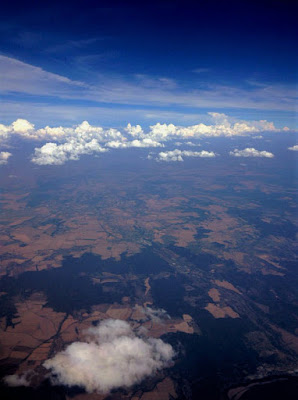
[213,243]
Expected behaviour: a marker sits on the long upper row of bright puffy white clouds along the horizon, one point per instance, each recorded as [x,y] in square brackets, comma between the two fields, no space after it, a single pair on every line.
[223,126]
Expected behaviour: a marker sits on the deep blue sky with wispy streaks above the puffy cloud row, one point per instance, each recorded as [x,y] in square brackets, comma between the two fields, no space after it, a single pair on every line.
[142,62]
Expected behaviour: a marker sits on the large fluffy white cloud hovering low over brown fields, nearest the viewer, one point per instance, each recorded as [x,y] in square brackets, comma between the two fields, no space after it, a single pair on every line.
[113,356]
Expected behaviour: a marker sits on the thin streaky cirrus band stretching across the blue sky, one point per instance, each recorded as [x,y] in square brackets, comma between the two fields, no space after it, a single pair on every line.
[21,77]
